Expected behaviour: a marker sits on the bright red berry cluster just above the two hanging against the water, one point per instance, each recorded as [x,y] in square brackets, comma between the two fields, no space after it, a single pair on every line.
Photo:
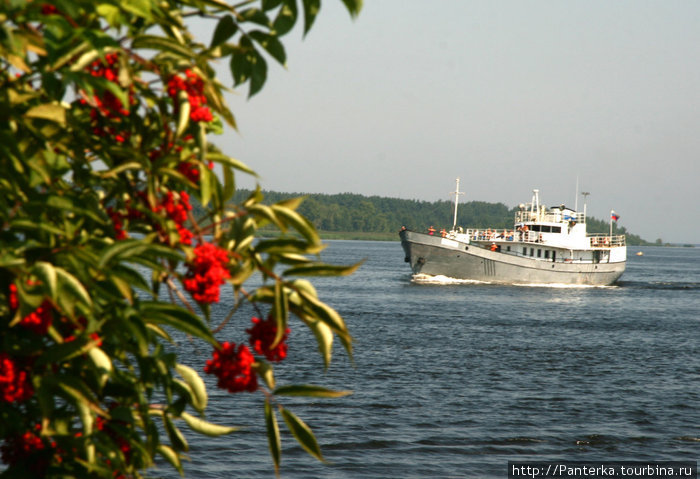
[206,273]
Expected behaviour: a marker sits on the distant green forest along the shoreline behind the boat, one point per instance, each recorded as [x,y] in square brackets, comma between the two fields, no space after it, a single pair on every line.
[380,217]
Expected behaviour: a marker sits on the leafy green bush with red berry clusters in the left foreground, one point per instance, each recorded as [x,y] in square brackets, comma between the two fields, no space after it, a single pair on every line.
[106,109]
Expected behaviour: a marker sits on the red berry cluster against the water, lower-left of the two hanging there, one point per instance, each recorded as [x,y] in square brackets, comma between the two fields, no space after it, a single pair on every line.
[233,367]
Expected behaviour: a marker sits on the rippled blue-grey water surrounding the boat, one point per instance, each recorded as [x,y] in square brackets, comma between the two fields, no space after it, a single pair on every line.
[455,380]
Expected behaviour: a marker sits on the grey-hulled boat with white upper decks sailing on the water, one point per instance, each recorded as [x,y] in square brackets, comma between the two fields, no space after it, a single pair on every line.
[545,246]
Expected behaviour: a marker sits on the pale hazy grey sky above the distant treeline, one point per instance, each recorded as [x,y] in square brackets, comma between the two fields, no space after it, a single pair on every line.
[507,95]
